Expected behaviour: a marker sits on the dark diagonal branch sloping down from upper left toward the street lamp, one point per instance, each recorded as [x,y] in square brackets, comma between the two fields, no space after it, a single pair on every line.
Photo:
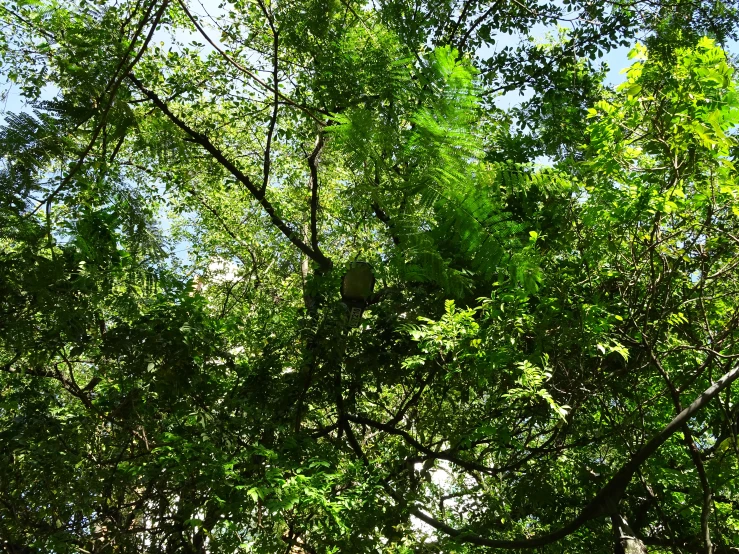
[259,195]
